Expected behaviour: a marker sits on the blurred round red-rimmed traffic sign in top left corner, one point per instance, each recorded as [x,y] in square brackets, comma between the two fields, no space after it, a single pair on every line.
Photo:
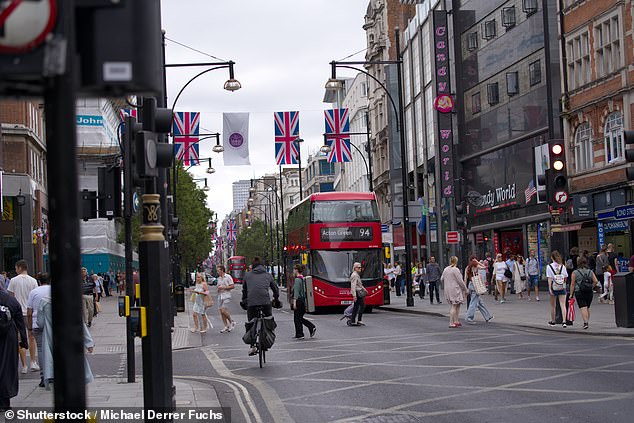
[24,25]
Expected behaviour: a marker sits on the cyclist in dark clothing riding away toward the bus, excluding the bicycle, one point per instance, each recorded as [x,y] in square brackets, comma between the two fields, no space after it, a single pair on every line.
[255,293]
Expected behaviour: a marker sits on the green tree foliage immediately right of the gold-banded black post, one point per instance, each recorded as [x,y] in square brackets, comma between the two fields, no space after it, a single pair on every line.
[194,241]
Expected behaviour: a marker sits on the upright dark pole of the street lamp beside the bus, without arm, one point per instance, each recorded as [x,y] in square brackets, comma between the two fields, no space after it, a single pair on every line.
[406,226]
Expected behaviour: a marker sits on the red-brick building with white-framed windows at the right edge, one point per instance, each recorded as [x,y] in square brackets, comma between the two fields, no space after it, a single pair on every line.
[597,69]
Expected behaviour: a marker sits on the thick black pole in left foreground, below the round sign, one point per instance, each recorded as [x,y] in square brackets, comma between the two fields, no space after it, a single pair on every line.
[61,134]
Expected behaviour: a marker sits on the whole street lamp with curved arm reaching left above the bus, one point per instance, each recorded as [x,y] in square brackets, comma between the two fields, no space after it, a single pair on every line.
[335,84]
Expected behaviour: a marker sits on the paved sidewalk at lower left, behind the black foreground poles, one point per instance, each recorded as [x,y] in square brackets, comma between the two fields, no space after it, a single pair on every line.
[112,390]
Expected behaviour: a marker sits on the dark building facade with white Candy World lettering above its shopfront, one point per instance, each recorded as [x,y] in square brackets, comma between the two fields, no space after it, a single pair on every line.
[507,90]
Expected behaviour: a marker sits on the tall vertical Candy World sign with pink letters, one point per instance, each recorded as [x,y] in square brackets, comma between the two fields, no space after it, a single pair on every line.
[443,90]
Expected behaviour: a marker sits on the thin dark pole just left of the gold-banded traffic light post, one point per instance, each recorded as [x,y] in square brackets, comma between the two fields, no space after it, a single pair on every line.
[127,219]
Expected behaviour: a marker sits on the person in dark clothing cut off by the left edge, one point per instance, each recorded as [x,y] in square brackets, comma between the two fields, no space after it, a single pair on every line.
[12,338]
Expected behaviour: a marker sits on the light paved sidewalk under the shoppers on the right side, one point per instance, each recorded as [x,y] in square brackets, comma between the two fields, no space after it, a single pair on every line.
[515,312]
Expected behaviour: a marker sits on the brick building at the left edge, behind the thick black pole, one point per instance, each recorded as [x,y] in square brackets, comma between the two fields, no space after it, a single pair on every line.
[24,223]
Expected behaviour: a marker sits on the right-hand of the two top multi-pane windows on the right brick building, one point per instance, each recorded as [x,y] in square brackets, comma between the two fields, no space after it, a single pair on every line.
[607,39]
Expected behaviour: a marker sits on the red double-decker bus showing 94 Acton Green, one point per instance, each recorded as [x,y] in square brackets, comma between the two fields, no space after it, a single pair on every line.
[328,233]
